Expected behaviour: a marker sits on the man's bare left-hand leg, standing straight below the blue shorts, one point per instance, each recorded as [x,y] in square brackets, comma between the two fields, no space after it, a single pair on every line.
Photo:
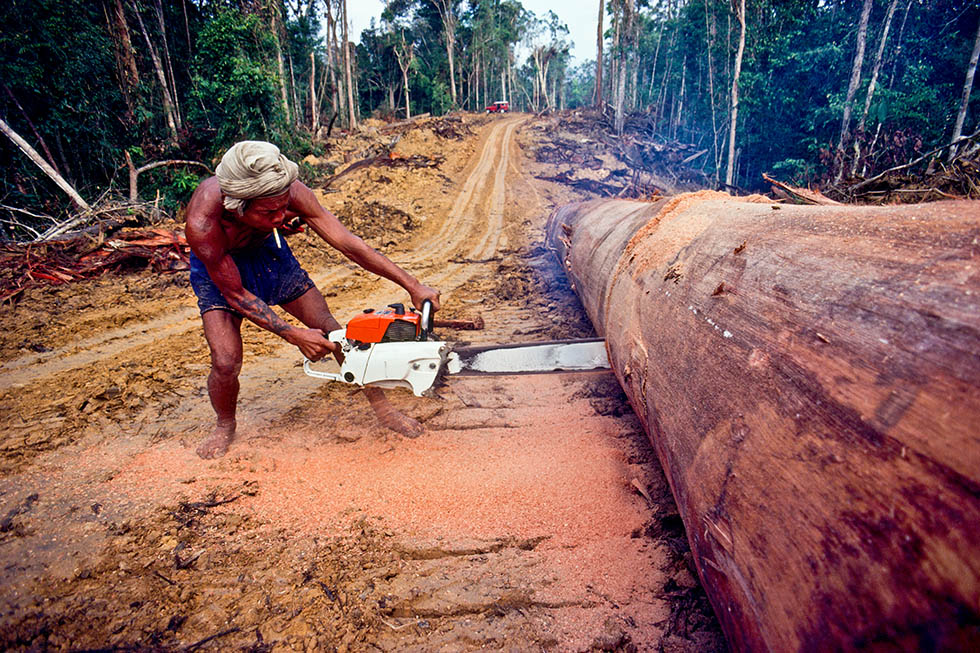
[223,331]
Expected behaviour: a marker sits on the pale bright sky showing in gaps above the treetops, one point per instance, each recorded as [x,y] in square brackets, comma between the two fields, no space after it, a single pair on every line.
[579,15]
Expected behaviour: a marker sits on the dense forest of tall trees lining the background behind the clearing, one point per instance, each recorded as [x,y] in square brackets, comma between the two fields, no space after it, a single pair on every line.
[134,99]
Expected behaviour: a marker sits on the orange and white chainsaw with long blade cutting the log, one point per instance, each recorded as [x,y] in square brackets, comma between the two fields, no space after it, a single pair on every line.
[394,347]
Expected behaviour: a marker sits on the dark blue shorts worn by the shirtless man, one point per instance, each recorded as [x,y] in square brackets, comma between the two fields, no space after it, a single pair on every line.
[270,273]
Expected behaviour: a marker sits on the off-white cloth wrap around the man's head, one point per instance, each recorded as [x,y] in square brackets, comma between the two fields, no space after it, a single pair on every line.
[252,169]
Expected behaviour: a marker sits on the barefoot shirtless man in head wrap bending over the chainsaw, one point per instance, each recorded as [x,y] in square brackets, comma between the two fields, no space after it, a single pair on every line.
[240,266]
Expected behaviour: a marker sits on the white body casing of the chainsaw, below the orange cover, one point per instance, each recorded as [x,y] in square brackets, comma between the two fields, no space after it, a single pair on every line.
[411,364]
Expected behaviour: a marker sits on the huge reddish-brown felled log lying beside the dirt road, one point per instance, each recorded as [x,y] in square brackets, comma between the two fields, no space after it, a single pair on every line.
[810,379]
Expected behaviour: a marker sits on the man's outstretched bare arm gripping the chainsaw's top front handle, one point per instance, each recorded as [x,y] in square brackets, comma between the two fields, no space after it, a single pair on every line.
[328,227]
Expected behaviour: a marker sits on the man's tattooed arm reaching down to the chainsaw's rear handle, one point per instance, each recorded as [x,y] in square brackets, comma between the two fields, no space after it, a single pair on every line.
[210,245]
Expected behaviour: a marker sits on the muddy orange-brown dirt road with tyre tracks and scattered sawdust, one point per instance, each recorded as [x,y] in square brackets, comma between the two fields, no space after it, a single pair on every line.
[530,515]
